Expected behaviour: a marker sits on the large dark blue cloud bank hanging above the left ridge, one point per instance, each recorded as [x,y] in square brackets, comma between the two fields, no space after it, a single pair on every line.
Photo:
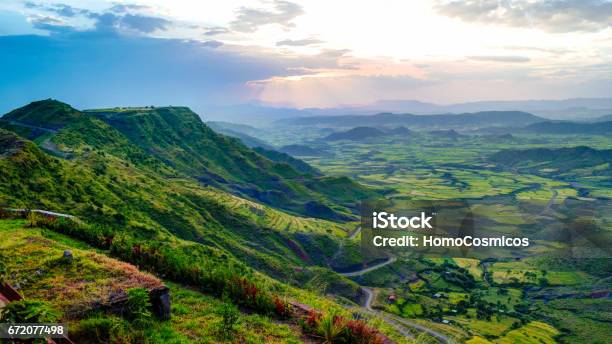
[108,70]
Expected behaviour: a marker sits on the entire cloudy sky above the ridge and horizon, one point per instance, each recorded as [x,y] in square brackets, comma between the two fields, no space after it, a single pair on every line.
[301,54]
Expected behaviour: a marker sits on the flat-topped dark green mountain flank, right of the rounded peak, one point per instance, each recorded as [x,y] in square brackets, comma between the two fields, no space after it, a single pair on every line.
[177,136]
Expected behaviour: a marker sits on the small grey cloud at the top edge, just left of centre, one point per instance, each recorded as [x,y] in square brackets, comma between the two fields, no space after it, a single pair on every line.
[249,19]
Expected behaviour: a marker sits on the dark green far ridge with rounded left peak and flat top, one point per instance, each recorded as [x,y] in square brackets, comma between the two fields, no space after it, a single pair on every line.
[175,138]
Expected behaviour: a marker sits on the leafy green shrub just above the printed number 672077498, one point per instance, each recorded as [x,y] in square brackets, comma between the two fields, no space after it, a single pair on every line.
[26,311]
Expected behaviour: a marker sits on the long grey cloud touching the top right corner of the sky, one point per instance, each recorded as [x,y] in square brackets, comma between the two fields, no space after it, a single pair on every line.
[558,16]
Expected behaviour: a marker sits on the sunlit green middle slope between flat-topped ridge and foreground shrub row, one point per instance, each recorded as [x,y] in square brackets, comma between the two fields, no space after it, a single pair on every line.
[115,192]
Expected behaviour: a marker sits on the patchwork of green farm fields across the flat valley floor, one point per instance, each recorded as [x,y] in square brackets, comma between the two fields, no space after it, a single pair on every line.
[483,301]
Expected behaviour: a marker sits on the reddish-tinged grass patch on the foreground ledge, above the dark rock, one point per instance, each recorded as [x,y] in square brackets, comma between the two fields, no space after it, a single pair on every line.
[37,266]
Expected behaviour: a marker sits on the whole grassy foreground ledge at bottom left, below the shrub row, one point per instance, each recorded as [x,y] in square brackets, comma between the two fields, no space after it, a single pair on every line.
[75,292]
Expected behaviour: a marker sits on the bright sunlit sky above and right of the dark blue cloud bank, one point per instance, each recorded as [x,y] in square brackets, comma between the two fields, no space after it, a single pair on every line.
[353,52]
